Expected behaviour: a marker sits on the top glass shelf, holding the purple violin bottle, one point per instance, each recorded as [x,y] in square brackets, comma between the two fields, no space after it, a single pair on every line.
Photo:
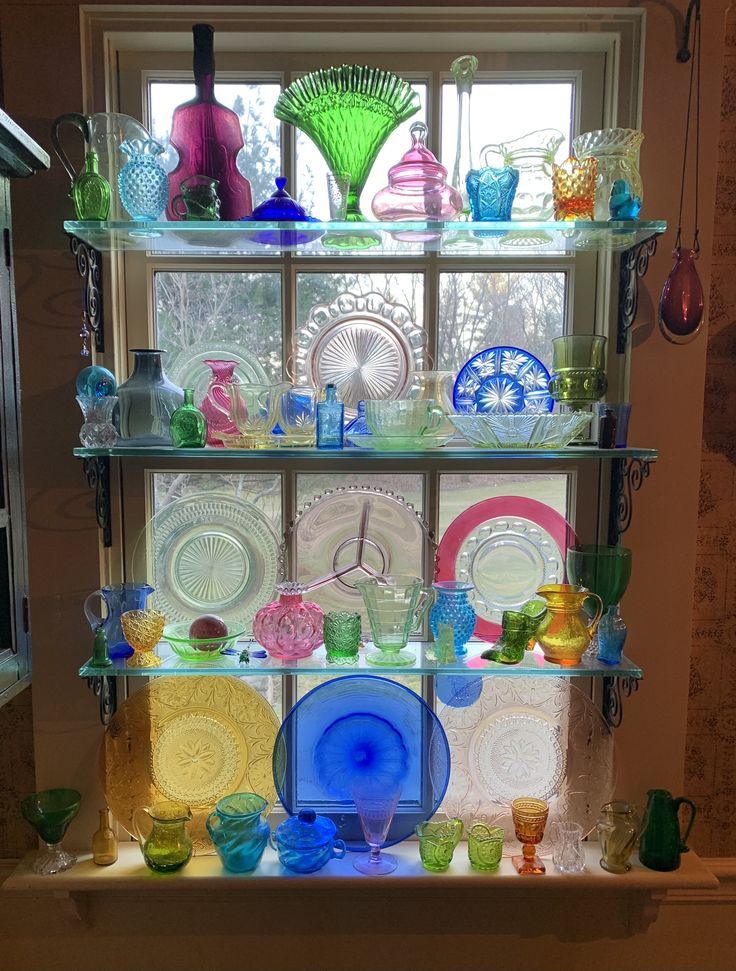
[506,240]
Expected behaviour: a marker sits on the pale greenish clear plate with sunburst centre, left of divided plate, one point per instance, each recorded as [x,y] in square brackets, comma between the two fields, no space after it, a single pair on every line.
[212,554]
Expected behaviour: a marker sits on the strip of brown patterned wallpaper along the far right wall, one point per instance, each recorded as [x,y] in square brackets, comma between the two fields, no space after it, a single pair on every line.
[710,766]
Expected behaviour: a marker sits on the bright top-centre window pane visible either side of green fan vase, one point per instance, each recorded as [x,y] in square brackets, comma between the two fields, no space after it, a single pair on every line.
[311,168]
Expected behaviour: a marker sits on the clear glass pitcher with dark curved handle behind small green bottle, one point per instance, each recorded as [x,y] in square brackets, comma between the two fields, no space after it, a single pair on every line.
[103,133]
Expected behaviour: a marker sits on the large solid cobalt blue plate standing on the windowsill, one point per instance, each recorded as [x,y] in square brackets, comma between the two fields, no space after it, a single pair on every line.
[362,731]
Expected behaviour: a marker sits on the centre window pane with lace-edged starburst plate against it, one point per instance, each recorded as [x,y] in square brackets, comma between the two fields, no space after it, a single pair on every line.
[341,337]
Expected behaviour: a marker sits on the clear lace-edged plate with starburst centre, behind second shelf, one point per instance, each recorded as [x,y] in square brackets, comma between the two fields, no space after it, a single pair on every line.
[364,344]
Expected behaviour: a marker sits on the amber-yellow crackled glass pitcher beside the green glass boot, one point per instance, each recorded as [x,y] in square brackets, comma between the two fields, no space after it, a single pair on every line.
[563,632]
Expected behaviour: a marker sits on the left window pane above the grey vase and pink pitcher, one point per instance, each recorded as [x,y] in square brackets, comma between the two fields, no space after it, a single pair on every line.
[235,316]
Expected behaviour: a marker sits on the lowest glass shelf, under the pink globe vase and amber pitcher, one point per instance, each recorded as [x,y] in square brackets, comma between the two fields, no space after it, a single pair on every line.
[473,666]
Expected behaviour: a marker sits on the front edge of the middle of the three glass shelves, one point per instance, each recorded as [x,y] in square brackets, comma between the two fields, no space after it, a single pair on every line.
[362,455]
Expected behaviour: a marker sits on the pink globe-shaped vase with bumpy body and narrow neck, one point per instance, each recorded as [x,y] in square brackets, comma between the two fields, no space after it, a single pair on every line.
[289,628]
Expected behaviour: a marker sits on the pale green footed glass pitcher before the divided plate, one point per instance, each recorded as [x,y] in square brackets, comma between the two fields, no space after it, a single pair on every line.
[395,605]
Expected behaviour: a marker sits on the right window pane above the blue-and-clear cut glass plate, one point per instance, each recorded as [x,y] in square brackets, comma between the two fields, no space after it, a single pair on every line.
[479,310]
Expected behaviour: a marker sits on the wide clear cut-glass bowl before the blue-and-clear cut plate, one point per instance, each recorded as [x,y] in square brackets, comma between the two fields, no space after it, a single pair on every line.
[528,430]
